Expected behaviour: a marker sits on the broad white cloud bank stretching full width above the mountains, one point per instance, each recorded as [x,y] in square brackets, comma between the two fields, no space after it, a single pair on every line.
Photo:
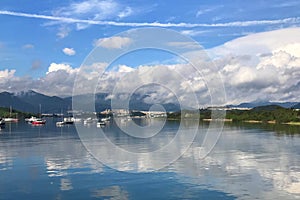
[251,69]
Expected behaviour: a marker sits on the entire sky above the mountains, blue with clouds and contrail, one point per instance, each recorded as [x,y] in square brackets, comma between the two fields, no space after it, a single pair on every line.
[253,45]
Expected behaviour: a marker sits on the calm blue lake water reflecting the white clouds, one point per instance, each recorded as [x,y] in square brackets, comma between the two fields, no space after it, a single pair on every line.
[250,161]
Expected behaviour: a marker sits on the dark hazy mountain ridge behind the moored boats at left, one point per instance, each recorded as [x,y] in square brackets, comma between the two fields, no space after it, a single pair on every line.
[31,101]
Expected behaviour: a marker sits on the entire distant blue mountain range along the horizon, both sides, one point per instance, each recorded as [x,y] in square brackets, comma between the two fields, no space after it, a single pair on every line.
[34,102]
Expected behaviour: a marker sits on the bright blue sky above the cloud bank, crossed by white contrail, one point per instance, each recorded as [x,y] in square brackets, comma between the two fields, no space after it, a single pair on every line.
[35,34]
